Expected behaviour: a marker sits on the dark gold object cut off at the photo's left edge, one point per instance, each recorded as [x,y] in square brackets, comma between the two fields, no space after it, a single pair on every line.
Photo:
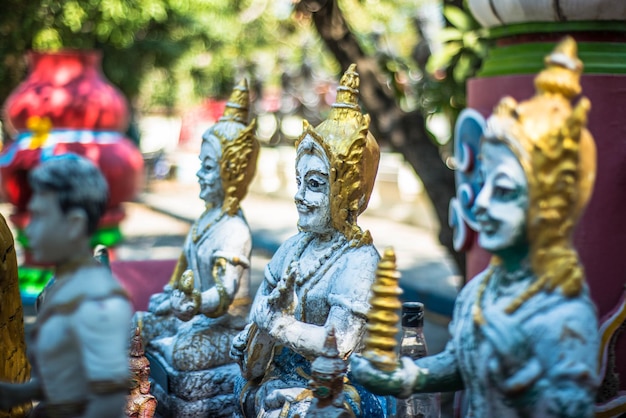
[15,367]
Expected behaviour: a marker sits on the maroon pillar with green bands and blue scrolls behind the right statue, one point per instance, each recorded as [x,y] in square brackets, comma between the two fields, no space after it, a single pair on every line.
[524,32]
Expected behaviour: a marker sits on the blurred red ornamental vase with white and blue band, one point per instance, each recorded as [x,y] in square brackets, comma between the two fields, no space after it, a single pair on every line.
[83,113]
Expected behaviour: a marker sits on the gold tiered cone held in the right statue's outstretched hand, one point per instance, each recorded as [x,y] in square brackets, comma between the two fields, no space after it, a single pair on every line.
[383,319]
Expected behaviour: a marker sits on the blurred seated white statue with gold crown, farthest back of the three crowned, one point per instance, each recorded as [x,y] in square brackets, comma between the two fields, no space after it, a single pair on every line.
[189,326]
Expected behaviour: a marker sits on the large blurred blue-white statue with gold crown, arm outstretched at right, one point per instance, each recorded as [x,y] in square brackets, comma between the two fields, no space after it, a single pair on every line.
[525,339]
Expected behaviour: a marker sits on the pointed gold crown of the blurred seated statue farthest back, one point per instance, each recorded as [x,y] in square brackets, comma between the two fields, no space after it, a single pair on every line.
[240,148]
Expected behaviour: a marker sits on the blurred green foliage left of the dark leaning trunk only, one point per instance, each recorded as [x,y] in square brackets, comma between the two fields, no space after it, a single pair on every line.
[161,53]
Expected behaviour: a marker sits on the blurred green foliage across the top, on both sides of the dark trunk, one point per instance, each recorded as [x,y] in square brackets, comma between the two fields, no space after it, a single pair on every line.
[169,54]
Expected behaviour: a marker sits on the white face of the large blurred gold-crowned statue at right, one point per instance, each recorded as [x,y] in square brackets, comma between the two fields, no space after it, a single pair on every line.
[502,203]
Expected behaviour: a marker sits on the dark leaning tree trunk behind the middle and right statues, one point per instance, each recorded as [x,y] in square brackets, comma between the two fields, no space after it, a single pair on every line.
[403,132]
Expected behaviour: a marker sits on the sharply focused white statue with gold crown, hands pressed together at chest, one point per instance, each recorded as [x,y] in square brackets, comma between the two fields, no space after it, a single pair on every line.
[319,278]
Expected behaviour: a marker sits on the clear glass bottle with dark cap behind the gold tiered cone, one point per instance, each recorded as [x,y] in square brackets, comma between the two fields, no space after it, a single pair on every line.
[413,345]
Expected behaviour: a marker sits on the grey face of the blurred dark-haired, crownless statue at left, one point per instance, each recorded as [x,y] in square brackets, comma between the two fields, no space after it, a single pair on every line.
[47,229]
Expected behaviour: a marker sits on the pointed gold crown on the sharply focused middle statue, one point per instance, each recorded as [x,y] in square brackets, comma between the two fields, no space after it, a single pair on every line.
[353,154]
